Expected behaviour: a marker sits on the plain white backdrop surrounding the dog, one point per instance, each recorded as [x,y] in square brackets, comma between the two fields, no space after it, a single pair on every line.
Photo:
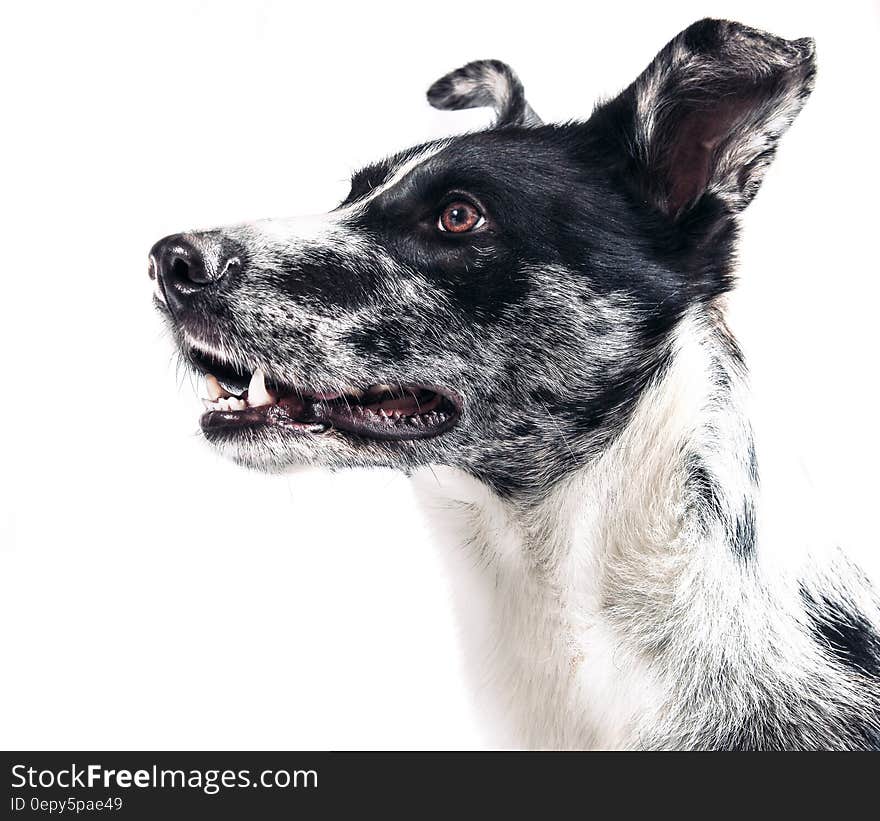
[153,596]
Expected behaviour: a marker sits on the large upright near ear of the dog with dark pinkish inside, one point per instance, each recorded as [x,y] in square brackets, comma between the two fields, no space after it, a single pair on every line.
[705,116]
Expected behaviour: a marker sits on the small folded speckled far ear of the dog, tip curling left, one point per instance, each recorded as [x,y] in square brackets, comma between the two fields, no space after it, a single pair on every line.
[485,83]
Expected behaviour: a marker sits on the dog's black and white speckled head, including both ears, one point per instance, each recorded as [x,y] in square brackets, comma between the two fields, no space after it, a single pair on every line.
[496,301]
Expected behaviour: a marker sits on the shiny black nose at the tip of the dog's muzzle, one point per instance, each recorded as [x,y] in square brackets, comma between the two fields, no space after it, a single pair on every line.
[183,266]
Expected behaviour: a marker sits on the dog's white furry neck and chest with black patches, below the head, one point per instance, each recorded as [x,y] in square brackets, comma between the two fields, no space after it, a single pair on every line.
[631,607]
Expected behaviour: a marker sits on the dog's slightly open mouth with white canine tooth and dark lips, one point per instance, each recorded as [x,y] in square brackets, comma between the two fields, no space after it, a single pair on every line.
[237,401]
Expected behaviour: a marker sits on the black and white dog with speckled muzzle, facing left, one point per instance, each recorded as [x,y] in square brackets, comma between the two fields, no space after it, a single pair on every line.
[530,320]
